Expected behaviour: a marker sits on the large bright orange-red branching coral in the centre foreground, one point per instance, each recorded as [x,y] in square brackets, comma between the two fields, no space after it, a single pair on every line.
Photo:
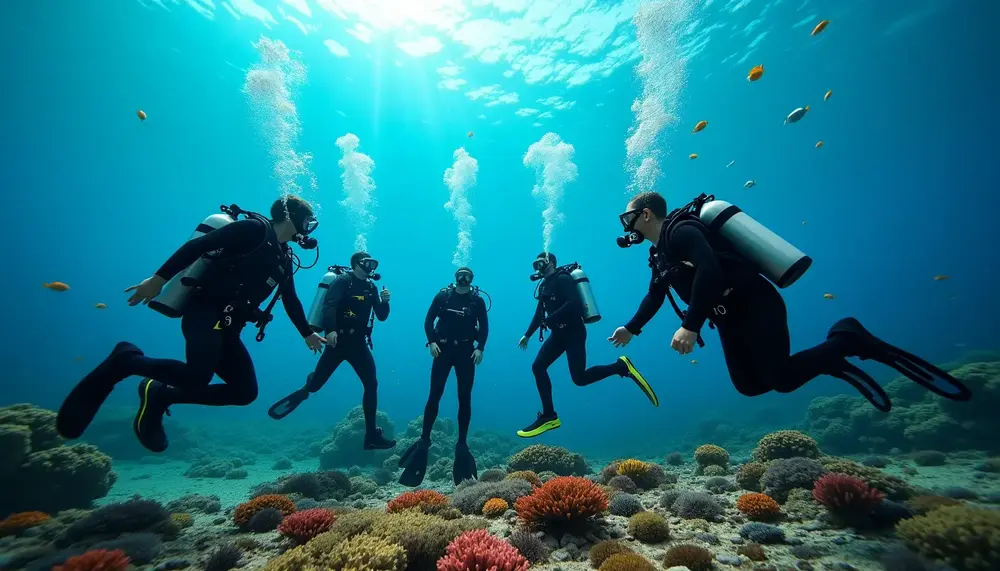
[566,500]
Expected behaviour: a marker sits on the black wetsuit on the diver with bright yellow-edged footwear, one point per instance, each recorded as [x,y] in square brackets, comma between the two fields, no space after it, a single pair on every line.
[561,309]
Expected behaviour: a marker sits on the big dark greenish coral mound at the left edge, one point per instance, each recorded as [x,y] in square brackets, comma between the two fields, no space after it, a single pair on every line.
[49,476]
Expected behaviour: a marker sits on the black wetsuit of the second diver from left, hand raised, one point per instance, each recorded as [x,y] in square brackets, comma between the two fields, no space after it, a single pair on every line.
[346,309]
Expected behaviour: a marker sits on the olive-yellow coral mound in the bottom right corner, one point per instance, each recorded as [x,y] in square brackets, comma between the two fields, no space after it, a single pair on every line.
[967,538]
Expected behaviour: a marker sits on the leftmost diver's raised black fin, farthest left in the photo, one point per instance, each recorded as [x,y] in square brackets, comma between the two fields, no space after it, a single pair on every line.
[86,398]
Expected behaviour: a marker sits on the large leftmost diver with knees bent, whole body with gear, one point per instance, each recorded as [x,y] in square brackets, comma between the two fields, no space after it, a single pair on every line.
[215,282]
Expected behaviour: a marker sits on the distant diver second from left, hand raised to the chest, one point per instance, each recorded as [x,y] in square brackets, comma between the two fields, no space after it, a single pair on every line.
[346,305]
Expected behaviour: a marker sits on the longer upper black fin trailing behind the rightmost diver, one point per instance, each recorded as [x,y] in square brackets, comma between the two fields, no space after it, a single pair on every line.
[866,346]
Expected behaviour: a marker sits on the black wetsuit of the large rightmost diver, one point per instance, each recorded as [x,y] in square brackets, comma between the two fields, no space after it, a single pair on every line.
[746,309]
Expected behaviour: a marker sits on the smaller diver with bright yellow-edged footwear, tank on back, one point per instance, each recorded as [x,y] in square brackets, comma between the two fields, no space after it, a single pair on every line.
[565,305]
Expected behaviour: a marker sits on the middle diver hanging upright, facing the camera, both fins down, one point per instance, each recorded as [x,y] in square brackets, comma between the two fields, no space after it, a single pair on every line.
[457,341]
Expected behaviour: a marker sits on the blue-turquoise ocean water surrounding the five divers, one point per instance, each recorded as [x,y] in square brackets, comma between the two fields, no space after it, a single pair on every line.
[902,190]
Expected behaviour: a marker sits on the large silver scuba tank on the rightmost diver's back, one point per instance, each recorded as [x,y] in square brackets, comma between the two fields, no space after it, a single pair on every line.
[778,261]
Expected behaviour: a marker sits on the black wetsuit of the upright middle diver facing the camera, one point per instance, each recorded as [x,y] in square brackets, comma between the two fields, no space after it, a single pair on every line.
[462,327]
